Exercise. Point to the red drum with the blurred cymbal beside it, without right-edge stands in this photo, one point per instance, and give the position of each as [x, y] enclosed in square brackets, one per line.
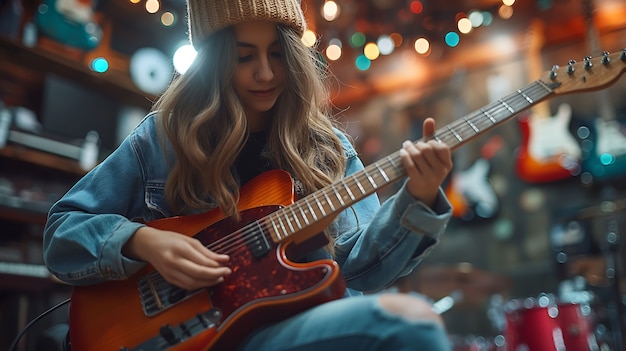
[547, 322]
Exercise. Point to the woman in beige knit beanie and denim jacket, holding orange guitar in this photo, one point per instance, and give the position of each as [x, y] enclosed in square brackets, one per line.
[237, 215]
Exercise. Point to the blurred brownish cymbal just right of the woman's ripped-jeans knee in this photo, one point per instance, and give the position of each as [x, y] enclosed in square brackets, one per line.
[474, 284]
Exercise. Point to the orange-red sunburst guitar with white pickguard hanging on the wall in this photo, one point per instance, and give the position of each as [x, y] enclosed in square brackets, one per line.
[549, 152]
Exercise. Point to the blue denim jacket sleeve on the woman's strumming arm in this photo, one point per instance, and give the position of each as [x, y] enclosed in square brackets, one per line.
[88, 226]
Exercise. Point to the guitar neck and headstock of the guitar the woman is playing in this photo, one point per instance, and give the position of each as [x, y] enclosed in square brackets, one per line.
[311, 214]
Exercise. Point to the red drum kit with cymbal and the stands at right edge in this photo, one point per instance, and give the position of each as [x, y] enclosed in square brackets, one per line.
[585, 314]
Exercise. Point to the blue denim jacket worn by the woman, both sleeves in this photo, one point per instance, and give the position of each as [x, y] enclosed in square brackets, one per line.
[89, 225]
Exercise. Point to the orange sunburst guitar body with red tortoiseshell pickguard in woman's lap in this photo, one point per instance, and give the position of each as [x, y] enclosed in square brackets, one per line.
[263, 288]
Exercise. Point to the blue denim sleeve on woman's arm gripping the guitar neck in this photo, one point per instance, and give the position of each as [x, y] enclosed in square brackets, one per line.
[378, 243]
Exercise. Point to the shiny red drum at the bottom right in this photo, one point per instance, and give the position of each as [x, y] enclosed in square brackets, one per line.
[543, 324]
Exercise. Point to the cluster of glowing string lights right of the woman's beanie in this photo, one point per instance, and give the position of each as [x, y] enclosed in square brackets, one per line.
[411, 26]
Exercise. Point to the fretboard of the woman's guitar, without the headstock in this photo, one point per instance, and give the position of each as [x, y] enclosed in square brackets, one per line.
[324, 204]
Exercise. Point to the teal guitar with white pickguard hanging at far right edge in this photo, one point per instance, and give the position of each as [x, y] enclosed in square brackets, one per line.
[604, 142]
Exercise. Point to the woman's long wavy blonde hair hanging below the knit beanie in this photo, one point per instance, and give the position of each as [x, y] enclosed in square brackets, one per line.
[202, 118]
